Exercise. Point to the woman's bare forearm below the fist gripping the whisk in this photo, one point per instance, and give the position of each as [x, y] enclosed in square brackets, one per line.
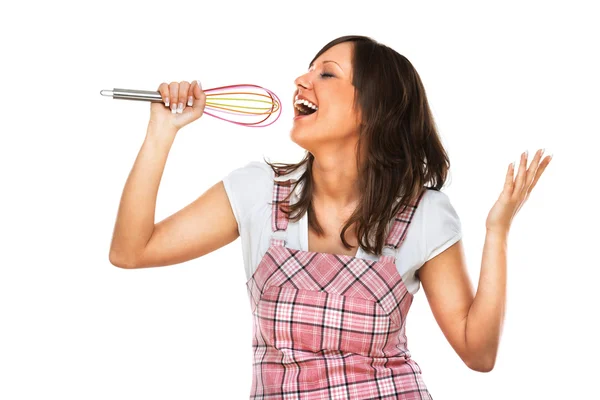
[135, 217]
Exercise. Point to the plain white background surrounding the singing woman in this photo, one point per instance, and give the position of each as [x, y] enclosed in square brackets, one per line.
[501, 78]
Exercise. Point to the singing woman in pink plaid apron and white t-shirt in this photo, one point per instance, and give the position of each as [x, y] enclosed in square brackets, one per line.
[332, 265]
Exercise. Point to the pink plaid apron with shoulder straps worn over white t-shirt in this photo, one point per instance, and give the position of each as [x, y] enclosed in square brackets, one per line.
[330, 326]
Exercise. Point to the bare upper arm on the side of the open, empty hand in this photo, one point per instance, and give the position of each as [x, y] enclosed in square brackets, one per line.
[450, 294]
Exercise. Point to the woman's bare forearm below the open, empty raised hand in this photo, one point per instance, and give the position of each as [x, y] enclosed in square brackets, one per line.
[486, 315]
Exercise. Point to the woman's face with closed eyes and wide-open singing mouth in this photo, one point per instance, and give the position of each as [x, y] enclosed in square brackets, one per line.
[328, 85]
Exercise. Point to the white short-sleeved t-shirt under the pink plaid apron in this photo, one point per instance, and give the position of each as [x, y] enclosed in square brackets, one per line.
[435, 225]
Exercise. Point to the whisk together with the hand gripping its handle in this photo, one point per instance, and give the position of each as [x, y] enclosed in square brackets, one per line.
[246, 105]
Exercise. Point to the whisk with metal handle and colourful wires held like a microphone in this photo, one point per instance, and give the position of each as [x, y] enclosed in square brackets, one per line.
[234, 103]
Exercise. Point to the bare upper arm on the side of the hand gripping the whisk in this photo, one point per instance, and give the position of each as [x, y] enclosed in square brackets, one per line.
[203, 226]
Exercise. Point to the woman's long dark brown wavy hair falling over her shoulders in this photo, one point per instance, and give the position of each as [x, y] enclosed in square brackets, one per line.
[403, 150]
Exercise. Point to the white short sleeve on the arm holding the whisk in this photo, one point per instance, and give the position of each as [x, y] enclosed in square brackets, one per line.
[248, 187]
